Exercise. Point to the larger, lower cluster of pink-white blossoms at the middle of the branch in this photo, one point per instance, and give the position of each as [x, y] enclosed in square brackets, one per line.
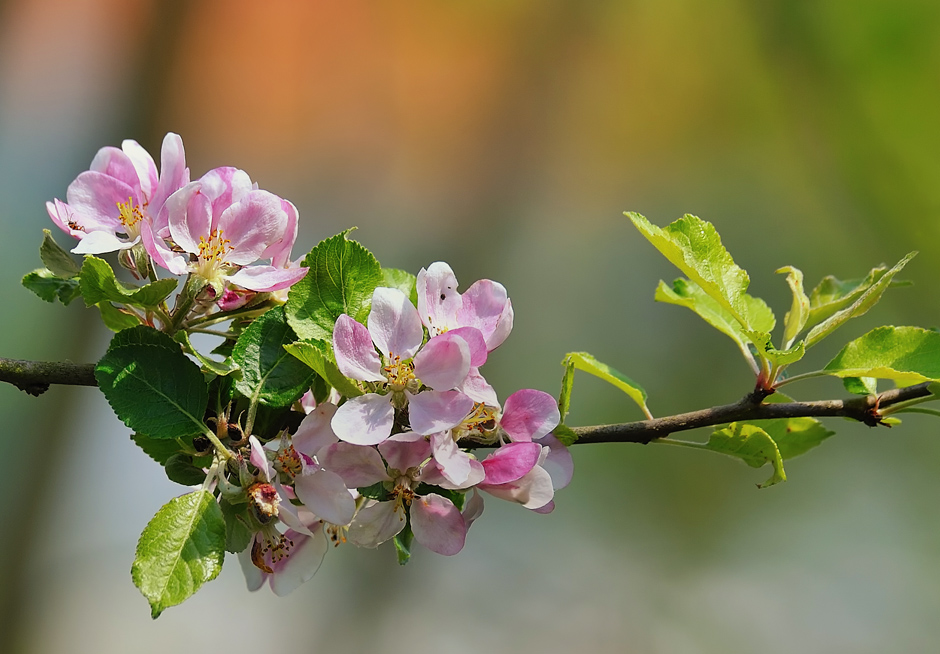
[397, 455]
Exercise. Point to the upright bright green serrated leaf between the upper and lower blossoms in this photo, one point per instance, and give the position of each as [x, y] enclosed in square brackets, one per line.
[343, 275]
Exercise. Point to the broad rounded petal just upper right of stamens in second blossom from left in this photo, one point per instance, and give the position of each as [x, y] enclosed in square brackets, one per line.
[251, 225]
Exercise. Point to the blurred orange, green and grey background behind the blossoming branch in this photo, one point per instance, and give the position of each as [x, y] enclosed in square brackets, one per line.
[507, 138]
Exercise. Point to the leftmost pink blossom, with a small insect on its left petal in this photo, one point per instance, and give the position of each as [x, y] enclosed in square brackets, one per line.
[120, 196]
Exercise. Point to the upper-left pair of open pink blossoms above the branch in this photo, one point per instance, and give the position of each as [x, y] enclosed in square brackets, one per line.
[212, 228]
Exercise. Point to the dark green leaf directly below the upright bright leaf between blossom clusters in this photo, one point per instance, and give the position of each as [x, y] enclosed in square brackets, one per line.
[269, 374]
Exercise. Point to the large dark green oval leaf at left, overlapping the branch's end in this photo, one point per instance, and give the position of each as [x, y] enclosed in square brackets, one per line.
[151, 385]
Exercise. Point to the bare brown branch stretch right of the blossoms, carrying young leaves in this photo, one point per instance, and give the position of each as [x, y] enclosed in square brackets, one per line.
[864, 409]
